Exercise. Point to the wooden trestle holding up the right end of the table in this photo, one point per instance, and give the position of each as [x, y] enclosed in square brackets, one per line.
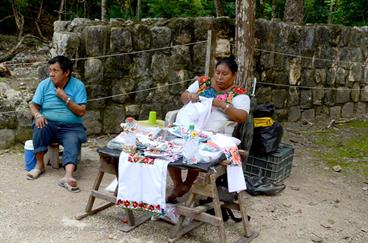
[208, 188]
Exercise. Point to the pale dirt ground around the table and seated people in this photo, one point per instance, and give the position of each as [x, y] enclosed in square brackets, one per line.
[318, 205]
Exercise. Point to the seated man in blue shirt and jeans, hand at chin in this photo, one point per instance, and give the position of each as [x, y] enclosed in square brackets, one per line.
[57, 107]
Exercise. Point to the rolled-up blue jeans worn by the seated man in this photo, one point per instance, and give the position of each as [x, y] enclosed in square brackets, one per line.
[71, 136]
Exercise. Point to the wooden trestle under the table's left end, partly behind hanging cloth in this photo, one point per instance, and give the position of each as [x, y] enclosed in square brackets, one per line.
[109, 164]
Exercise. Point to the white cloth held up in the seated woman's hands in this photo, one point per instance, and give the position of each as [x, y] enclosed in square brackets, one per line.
[195, 113]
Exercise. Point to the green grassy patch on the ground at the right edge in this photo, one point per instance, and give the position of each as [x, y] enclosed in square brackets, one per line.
[346, 146]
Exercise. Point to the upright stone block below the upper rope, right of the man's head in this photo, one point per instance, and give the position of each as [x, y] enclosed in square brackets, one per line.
[93, 71]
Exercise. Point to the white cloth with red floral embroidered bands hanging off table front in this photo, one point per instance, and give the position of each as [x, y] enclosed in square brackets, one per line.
[142, 183]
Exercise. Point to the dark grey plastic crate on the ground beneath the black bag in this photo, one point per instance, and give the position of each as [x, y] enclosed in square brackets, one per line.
[276, 166]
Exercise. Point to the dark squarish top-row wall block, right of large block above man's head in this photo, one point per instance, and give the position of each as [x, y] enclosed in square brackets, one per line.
[120, 40]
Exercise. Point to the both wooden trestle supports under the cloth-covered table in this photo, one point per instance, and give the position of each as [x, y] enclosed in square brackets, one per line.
[109, 161]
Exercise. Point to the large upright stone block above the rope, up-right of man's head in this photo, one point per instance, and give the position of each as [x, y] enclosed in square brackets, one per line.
[96, 40]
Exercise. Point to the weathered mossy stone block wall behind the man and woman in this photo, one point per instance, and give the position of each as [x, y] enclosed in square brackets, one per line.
[308, 72]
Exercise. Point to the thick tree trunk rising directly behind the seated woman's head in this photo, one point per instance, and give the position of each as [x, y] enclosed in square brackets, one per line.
[244, 40]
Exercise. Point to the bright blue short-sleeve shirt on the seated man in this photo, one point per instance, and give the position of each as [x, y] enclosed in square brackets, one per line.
[54, 108]
